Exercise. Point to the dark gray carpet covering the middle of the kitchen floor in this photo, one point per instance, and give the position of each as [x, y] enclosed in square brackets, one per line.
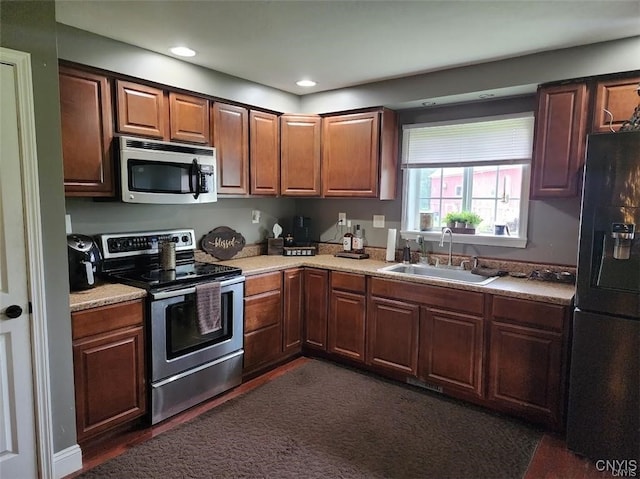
[326, 421]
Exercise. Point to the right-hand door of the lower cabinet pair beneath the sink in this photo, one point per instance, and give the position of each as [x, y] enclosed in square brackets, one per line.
[450, 350]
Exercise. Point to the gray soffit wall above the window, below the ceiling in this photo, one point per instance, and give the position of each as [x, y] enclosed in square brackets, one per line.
[515, 75]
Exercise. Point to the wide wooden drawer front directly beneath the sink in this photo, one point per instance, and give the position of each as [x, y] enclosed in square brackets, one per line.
[447, 298]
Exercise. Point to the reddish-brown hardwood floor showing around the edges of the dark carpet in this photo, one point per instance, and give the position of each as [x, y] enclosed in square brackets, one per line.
[552, 460]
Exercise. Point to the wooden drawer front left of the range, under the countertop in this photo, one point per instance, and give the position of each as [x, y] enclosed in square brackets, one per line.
[106, 318]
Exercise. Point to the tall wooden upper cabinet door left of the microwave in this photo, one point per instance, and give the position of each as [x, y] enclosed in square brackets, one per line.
[85, 111]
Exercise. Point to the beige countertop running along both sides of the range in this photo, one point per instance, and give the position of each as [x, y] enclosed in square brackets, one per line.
[556, 293]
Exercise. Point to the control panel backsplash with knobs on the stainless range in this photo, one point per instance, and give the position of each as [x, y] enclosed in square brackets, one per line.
[120, 245]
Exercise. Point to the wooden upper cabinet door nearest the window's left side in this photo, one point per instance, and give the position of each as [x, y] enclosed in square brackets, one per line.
[350, 155]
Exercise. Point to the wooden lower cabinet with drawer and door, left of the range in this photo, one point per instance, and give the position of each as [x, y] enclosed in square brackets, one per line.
[109, 369]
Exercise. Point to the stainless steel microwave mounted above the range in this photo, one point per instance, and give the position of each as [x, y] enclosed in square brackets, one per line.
[161, 172]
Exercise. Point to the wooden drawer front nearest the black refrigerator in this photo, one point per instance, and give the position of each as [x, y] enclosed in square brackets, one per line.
[529, 313]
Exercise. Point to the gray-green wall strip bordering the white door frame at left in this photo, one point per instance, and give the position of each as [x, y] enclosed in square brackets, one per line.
[31, 27]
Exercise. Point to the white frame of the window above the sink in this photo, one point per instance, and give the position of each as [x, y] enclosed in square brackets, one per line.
[519, 241]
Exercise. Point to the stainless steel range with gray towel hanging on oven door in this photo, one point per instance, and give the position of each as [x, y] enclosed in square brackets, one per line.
[194, 326]
